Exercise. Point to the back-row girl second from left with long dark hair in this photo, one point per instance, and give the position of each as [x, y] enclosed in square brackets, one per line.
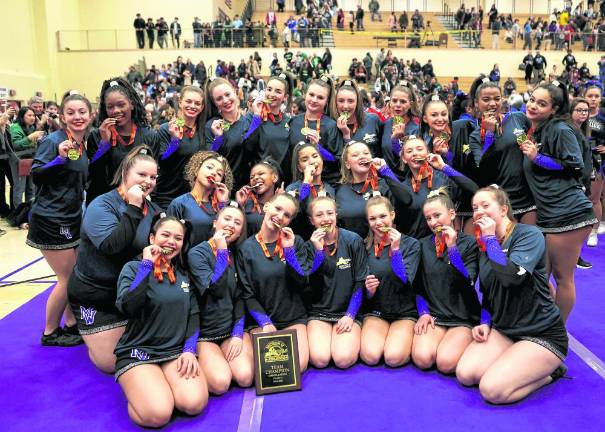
[122, 124]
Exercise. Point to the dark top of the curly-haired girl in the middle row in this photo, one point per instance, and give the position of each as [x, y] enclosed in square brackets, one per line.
[201, 219]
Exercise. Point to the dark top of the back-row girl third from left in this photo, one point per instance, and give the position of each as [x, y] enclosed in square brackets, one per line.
[171, 182]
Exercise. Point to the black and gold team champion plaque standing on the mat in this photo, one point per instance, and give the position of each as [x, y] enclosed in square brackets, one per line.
[276, 363]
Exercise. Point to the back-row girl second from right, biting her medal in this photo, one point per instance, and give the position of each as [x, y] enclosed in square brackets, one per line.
[496, 152]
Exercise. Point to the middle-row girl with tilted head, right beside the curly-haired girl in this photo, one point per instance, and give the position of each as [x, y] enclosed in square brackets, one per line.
[252, 197]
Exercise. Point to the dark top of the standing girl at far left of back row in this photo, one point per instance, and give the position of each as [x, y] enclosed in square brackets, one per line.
[60, 182]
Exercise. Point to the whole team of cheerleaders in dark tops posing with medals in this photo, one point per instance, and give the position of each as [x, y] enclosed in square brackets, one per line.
[372, 250]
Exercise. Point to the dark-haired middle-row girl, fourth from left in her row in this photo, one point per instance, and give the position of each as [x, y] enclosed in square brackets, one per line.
[307, 164]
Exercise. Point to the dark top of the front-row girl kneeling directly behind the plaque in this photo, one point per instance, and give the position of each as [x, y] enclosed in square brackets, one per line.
[270, 286]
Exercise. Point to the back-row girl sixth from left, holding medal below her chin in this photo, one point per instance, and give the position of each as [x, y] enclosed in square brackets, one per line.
[315, 125]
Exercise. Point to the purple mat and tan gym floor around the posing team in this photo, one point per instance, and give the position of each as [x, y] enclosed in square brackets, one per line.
[57, 389]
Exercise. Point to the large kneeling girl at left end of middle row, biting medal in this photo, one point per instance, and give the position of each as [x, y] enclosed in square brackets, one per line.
[115, 229]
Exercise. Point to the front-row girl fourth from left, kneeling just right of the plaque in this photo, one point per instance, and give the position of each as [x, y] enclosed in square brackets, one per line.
[336, 289]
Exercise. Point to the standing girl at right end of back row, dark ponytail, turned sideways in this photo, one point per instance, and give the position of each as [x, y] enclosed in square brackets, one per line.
[554, 175]
